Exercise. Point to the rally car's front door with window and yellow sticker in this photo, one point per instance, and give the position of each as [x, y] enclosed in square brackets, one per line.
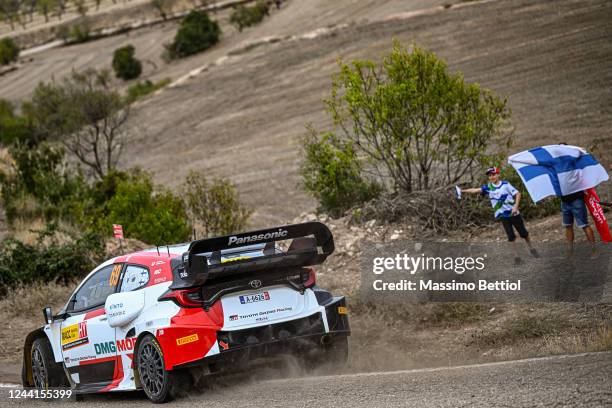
[87, 340]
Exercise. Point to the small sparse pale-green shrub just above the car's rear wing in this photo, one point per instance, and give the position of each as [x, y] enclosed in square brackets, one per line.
[214, 205]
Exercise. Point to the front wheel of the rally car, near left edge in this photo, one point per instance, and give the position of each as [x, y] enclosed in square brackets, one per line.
[46, 373]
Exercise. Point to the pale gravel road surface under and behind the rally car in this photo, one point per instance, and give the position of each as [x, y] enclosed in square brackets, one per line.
[581, 380]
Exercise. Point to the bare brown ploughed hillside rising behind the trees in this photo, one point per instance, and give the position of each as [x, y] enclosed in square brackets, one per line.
[243, 117]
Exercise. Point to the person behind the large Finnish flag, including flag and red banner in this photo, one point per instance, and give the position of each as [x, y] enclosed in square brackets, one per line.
[571, 173]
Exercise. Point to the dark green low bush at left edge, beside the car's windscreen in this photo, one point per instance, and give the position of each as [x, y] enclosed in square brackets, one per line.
[48, 260]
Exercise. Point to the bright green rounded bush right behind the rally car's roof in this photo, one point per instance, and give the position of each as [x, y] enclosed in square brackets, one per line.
[154, 217]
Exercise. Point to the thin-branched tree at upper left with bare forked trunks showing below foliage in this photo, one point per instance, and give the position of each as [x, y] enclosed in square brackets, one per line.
[86, 113]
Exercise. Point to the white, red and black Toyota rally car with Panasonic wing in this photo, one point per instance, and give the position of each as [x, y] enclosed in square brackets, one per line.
[147, 320]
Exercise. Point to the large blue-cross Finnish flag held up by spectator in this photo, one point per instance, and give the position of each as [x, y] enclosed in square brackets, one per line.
[557, 170]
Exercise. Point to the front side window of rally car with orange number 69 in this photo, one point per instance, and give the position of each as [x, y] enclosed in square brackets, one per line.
[97, 288]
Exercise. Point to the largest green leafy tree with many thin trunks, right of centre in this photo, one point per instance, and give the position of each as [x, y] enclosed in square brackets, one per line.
[409, 118]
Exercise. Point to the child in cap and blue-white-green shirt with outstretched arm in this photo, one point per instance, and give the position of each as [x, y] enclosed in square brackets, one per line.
[505, 200]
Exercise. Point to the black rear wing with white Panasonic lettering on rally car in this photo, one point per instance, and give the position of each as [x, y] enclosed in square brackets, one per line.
[204, 256]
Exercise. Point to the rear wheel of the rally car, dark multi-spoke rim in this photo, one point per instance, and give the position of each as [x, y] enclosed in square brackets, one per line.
[159, 384]
